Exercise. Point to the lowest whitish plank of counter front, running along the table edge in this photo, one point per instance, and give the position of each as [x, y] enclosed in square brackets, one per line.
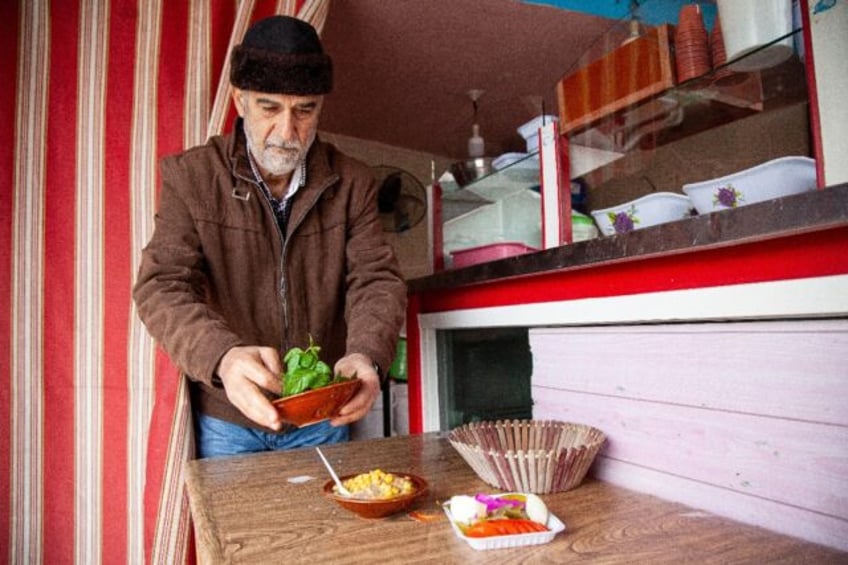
[782, 518]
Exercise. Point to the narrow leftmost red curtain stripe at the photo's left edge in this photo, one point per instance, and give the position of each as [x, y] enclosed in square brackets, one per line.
[8, 69]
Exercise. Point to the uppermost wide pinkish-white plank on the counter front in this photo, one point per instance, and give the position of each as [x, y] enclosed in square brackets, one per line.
[793, 370]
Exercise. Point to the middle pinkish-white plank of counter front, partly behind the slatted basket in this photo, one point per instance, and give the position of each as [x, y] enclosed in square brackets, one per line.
[787, 461]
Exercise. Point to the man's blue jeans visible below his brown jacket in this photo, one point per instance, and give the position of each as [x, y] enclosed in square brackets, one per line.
[216, 437]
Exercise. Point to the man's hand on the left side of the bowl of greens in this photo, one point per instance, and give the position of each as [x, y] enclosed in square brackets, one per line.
[243, 371]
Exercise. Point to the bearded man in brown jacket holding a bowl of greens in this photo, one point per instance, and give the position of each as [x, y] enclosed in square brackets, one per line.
[264, 238]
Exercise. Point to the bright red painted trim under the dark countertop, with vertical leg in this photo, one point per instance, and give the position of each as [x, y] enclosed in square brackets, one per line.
[814, 254]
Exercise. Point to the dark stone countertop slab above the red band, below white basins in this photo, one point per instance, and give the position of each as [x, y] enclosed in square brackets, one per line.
[783, 217]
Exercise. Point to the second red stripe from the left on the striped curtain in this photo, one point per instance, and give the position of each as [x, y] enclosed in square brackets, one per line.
[59, 235]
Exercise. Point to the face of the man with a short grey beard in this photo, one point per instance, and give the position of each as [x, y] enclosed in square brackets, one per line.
[280, 128]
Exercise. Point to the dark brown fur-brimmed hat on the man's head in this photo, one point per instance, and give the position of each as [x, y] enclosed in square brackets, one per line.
[281, 55]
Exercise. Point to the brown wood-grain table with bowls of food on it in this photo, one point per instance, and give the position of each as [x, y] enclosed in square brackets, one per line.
[254, 509]
